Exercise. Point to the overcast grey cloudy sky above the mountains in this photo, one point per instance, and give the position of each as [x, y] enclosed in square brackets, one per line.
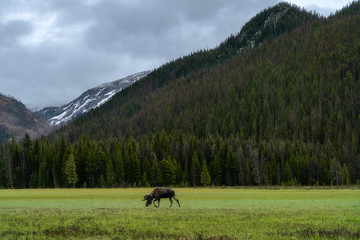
[53, 50]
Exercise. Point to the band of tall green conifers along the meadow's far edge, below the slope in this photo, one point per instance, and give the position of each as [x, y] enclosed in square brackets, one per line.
[172, 159]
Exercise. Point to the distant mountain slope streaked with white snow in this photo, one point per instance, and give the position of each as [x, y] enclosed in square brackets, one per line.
[90, 99]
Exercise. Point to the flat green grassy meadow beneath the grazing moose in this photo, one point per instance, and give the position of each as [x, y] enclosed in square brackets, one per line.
[204, 214]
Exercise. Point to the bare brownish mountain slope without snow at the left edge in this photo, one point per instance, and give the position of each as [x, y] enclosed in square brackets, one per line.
[16, 120]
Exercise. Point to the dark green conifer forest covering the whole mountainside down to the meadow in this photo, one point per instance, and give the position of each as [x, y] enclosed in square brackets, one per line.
[283, 112]
